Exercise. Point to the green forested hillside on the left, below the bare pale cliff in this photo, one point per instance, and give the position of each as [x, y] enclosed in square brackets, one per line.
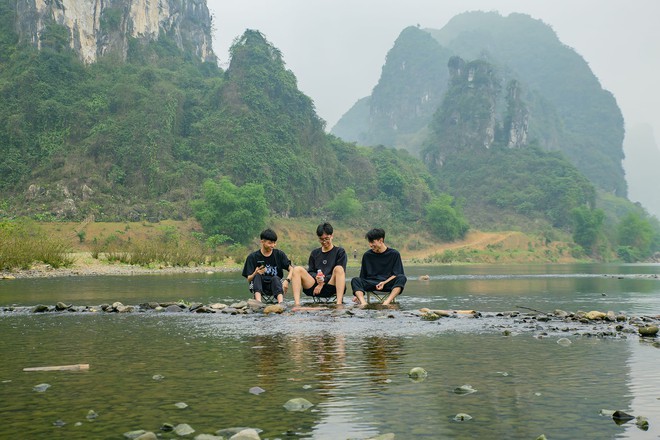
[137, 139]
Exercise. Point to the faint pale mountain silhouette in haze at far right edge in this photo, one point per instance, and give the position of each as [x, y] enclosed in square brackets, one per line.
[642, 165]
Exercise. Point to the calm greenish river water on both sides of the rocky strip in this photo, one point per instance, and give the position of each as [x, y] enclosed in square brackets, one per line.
[352, 368]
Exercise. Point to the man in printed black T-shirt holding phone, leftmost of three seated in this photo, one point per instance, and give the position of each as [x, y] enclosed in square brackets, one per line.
[264, 268]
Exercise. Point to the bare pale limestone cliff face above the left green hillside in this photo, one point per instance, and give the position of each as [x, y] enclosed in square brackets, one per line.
[98, 27]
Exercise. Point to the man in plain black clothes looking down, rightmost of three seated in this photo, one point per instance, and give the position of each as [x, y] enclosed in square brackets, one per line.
[381, 270]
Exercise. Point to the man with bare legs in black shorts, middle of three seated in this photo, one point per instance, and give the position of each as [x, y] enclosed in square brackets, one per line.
[325, 275]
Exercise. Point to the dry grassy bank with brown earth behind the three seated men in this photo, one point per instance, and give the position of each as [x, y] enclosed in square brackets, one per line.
[180, 243]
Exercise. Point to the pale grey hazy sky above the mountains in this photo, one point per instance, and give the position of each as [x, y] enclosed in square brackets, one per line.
[336, 48]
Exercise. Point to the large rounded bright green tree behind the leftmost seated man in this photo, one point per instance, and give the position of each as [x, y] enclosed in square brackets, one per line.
[226, 209]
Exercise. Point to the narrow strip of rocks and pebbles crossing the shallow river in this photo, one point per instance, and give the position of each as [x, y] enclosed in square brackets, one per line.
[508, 323]
